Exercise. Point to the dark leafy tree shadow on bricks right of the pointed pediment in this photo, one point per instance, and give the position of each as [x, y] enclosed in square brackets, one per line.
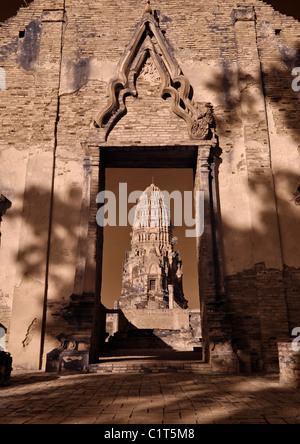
[278, 83]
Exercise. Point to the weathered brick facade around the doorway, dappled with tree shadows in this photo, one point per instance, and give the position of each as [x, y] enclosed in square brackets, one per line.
[238, 56]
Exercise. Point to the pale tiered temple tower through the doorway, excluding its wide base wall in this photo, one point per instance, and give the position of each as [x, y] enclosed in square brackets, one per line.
[152, 271]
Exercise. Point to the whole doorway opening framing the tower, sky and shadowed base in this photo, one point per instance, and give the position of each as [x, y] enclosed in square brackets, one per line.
[153, 305]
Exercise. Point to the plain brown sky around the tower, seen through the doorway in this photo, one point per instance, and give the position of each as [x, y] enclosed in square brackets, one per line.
[117, 239]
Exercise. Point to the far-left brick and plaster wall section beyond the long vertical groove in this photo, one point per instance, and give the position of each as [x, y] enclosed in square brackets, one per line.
[31, 58]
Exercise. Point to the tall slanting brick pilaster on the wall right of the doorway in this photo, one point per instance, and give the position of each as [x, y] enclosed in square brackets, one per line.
[266, 239]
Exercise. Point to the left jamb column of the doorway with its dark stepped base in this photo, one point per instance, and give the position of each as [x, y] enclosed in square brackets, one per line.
[83, 320]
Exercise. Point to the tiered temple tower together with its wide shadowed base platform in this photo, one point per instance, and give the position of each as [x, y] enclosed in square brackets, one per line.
[152, 312]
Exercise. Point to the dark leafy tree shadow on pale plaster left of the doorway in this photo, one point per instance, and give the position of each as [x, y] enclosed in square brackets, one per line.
[33, 254]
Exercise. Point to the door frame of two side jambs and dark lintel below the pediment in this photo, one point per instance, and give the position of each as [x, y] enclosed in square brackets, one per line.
[200, 158]
